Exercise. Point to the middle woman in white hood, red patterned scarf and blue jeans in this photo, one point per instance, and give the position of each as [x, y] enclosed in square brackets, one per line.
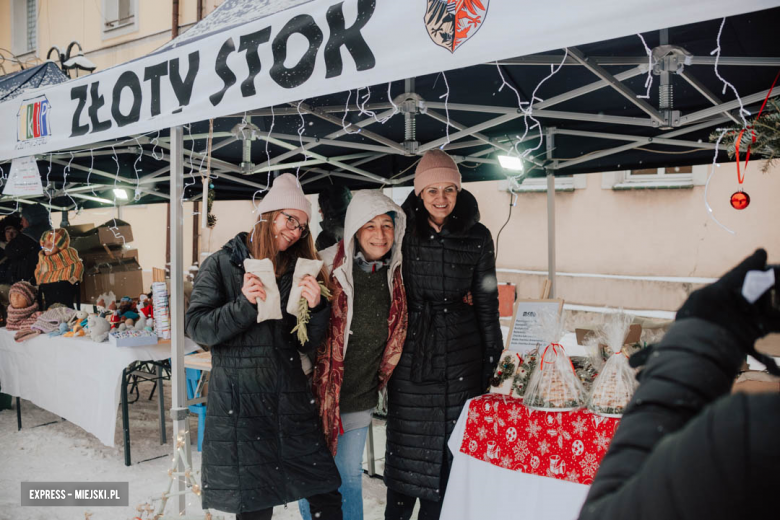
[366, 335]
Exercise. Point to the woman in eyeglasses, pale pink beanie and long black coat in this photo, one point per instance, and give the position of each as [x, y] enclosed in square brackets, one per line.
[262, 444]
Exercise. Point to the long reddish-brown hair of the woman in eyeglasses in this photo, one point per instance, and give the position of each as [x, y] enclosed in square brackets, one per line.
[261, 243]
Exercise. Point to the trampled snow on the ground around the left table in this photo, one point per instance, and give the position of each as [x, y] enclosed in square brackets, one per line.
[62, 451]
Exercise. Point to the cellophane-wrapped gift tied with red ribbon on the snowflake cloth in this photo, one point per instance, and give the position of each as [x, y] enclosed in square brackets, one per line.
[554, 385]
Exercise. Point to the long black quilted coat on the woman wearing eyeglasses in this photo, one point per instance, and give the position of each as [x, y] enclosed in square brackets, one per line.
[262, 445]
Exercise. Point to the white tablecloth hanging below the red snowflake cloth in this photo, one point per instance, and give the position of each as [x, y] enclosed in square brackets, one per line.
[479, 490]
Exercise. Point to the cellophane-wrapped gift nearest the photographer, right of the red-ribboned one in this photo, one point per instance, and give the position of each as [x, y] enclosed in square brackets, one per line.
[613, 388]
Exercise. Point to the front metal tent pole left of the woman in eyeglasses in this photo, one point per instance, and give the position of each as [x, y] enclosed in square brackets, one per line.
[179, 411]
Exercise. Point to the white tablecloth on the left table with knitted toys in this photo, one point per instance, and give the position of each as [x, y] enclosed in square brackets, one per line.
[77, 379]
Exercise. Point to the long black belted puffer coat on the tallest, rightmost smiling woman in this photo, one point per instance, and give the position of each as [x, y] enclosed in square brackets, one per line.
[451, 347]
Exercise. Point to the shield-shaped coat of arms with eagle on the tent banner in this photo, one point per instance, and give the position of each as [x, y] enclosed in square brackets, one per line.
[451, 23]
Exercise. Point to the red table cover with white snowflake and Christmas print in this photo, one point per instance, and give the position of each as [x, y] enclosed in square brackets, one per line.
[561, 445]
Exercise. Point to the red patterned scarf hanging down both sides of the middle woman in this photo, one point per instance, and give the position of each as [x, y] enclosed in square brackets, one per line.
[329, 365]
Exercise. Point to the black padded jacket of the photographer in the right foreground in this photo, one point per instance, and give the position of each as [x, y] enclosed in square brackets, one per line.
[685, 449]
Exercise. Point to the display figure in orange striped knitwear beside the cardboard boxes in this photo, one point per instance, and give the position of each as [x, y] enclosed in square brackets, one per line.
[59, 269]
